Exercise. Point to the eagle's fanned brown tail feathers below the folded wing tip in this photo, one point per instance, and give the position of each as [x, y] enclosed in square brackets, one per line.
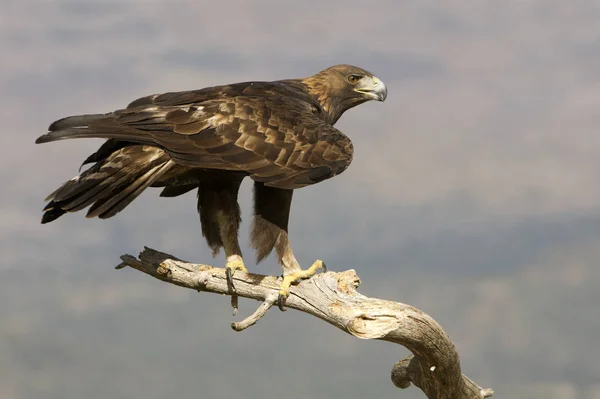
[110, 185]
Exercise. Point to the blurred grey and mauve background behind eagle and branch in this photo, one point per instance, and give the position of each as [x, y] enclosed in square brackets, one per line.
[473, 195]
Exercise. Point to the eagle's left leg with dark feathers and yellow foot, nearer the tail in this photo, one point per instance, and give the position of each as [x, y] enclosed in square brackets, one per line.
[220, 218]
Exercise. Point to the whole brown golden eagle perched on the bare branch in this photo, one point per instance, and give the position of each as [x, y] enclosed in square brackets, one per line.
[278, 133]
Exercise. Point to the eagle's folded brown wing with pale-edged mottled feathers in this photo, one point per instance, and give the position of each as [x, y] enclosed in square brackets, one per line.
[277, 139]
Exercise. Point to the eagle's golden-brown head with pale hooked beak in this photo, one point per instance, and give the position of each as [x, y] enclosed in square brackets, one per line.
[341, 87]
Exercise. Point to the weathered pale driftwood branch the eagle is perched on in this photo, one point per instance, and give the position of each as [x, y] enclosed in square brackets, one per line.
[332, 296]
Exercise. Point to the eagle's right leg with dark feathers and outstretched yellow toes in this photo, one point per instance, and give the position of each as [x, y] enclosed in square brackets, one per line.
[270, 230]
